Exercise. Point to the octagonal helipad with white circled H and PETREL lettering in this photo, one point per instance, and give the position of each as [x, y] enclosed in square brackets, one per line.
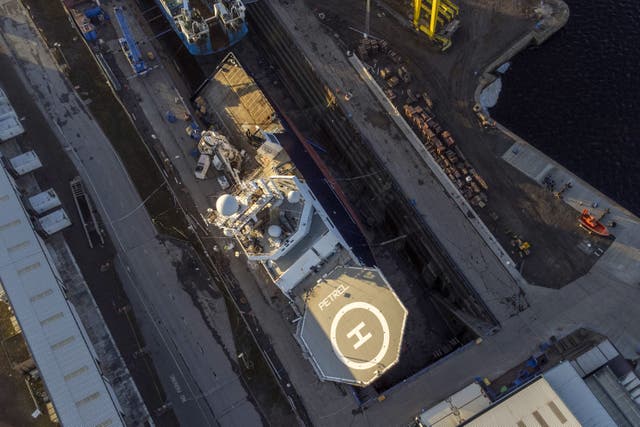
[353, 325]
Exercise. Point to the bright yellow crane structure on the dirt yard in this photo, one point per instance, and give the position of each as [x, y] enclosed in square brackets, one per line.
[437, 13]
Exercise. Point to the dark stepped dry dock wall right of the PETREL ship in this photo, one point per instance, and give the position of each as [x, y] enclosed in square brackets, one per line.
[383, 207]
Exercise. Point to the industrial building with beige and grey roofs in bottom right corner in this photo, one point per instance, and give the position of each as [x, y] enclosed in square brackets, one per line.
[597, 388]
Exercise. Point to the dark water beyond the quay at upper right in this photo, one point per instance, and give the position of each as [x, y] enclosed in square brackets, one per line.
[576, 97]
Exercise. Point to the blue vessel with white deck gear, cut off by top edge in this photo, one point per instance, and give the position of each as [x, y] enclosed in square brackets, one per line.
[206, 26]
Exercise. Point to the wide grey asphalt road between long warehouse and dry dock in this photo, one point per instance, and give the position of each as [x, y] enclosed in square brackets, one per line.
[194, 368]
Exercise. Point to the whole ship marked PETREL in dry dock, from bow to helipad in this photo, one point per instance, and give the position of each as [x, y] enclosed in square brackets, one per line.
[295, 235]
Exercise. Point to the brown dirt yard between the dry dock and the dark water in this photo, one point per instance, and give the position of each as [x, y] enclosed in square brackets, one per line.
[516, 203]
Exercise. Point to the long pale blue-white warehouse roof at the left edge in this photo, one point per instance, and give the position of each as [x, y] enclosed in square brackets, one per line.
[55, 337]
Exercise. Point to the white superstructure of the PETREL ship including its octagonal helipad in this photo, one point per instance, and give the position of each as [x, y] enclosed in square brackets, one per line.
[351, 322]
